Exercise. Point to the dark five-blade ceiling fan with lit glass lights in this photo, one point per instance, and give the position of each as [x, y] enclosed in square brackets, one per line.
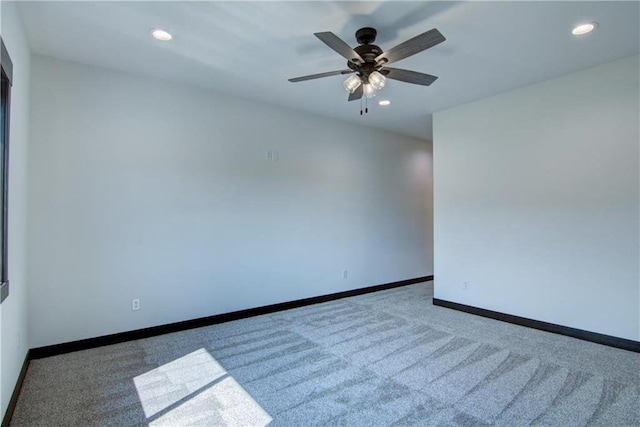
[368, 63]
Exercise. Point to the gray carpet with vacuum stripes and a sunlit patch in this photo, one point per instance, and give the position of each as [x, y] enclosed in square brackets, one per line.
[386, 358]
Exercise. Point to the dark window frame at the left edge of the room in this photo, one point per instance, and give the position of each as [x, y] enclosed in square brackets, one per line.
[6, 81]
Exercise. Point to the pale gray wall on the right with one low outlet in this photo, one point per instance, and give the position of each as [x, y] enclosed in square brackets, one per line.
[537, 201]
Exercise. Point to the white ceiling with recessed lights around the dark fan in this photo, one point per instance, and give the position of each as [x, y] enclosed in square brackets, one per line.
[250, 49]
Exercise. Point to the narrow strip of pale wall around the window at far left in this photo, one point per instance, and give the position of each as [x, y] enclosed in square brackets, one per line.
[13, 311]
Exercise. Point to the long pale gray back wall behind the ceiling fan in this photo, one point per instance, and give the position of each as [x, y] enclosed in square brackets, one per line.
[142, 188]
